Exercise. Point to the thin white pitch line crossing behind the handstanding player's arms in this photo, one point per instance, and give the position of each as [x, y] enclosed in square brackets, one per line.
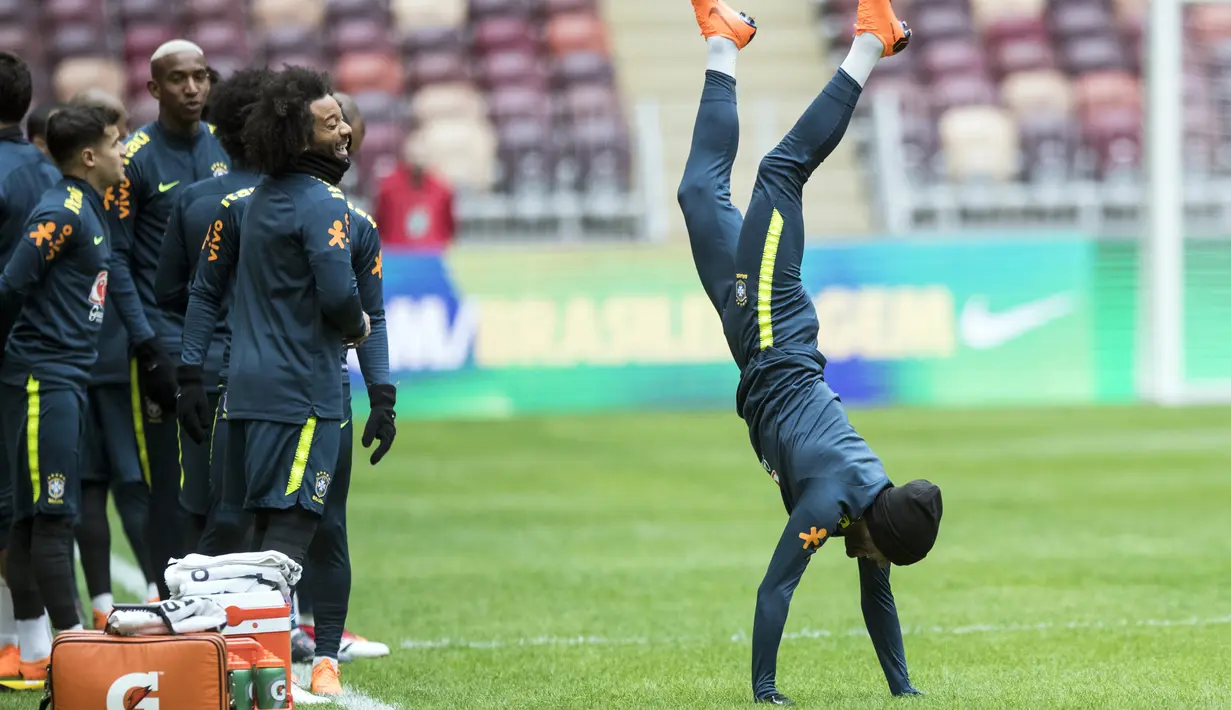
[742, 637]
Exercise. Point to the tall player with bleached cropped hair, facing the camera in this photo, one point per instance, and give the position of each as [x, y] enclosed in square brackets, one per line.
[163, 159]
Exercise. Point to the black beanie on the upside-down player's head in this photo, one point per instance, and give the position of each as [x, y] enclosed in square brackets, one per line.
[904, 521]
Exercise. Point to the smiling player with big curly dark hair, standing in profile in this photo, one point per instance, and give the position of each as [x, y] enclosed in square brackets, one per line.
[296, 308]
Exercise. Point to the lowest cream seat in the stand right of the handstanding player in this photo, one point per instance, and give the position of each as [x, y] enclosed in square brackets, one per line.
[980, 145]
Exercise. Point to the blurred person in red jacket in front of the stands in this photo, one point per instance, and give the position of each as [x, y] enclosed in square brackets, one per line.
[414, 205]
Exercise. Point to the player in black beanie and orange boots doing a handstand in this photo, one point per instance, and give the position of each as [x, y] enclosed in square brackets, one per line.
[832, 482]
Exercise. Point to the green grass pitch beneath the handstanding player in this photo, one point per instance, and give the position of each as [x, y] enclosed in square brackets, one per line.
[612, 563]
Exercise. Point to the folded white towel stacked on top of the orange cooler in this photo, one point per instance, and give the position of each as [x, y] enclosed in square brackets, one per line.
[232, 574]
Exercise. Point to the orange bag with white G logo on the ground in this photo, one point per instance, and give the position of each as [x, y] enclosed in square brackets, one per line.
[92, 670]
